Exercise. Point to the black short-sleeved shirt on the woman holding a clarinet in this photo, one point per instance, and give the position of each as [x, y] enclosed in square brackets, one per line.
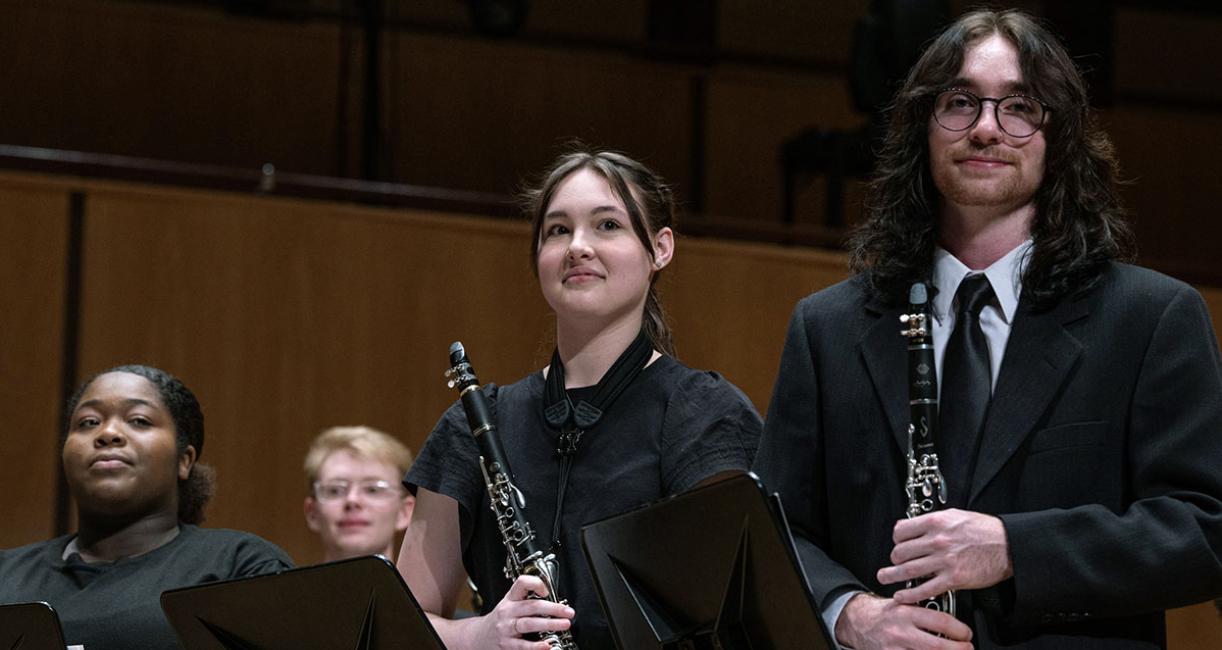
[670, 429]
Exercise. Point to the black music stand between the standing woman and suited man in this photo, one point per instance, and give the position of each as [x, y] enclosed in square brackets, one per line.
[713, 569]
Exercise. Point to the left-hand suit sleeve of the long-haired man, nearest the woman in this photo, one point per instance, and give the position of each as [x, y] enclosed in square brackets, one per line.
[791, 460]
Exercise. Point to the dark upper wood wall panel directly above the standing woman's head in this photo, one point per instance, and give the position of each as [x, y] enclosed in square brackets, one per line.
[472, 114]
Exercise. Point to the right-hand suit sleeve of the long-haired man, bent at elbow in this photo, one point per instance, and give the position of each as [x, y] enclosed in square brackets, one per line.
[1164, 550]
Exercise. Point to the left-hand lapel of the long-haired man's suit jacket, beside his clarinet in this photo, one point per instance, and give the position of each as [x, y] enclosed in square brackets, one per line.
[883, 348]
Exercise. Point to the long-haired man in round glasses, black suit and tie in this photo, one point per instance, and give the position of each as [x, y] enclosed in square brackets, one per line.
[1081, 398]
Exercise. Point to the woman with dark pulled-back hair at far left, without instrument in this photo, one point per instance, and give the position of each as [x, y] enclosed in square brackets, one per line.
[130, 456]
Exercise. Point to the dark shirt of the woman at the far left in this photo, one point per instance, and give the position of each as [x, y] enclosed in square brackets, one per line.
[117, 605]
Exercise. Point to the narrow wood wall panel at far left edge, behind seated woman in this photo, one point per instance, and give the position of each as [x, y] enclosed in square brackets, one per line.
[34, 244]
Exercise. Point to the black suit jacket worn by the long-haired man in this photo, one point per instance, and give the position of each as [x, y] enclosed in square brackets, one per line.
[1102, 454]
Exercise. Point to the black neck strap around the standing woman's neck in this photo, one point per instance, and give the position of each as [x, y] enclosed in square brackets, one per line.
[559, 411]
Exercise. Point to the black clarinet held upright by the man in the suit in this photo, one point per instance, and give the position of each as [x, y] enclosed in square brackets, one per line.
[926, 487]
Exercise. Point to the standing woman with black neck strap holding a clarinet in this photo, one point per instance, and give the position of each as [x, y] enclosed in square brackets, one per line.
[602, 234]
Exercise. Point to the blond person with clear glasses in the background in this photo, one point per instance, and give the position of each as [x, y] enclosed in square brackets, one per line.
[357, 503]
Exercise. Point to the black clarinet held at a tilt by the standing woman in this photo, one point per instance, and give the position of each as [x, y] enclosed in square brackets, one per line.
[522, 552]
